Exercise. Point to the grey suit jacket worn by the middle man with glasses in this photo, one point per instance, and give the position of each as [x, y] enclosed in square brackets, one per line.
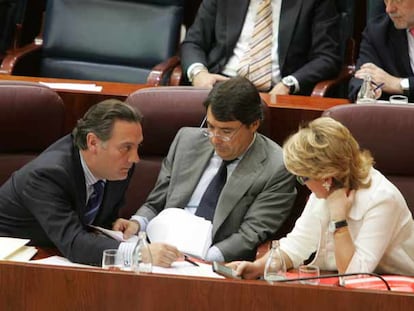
[254, 203]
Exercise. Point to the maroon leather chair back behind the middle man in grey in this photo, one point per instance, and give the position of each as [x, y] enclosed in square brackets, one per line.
[165, 111]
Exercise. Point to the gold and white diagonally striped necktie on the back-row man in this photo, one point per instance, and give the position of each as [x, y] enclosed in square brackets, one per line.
[256, 64]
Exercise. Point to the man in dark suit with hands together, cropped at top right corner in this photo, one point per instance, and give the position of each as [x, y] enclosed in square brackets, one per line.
[387, 52]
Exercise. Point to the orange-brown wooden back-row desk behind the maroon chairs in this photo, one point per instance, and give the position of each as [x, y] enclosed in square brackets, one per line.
[286, 112]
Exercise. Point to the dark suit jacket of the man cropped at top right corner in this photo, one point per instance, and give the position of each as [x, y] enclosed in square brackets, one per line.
[386, 47]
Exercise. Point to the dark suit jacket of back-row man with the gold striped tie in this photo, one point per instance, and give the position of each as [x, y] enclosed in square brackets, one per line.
[308, 34]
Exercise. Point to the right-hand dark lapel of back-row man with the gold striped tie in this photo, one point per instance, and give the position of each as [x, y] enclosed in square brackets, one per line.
[289, 13]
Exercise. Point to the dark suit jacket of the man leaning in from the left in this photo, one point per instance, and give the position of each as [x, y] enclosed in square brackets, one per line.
[44, 201]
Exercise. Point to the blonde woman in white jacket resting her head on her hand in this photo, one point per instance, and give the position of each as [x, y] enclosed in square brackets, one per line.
[355, 220]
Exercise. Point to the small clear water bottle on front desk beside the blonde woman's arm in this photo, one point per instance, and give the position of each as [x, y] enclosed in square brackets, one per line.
[275, 268]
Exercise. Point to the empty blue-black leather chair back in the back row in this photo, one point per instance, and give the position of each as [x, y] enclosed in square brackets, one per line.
[109, 40]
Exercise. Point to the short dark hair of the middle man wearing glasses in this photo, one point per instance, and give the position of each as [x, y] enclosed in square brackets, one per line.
[235, 99]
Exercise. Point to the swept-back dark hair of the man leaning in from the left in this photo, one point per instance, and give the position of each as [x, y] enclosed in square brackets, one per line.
[100, 119]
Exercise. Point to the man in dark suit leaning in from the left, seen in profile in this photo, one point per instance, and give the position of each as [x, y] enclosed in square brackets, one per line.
[79, 180]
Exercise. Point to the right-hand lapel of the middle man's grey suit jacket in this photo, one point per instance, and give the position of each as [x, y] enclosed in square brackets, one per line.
[246, 172]
